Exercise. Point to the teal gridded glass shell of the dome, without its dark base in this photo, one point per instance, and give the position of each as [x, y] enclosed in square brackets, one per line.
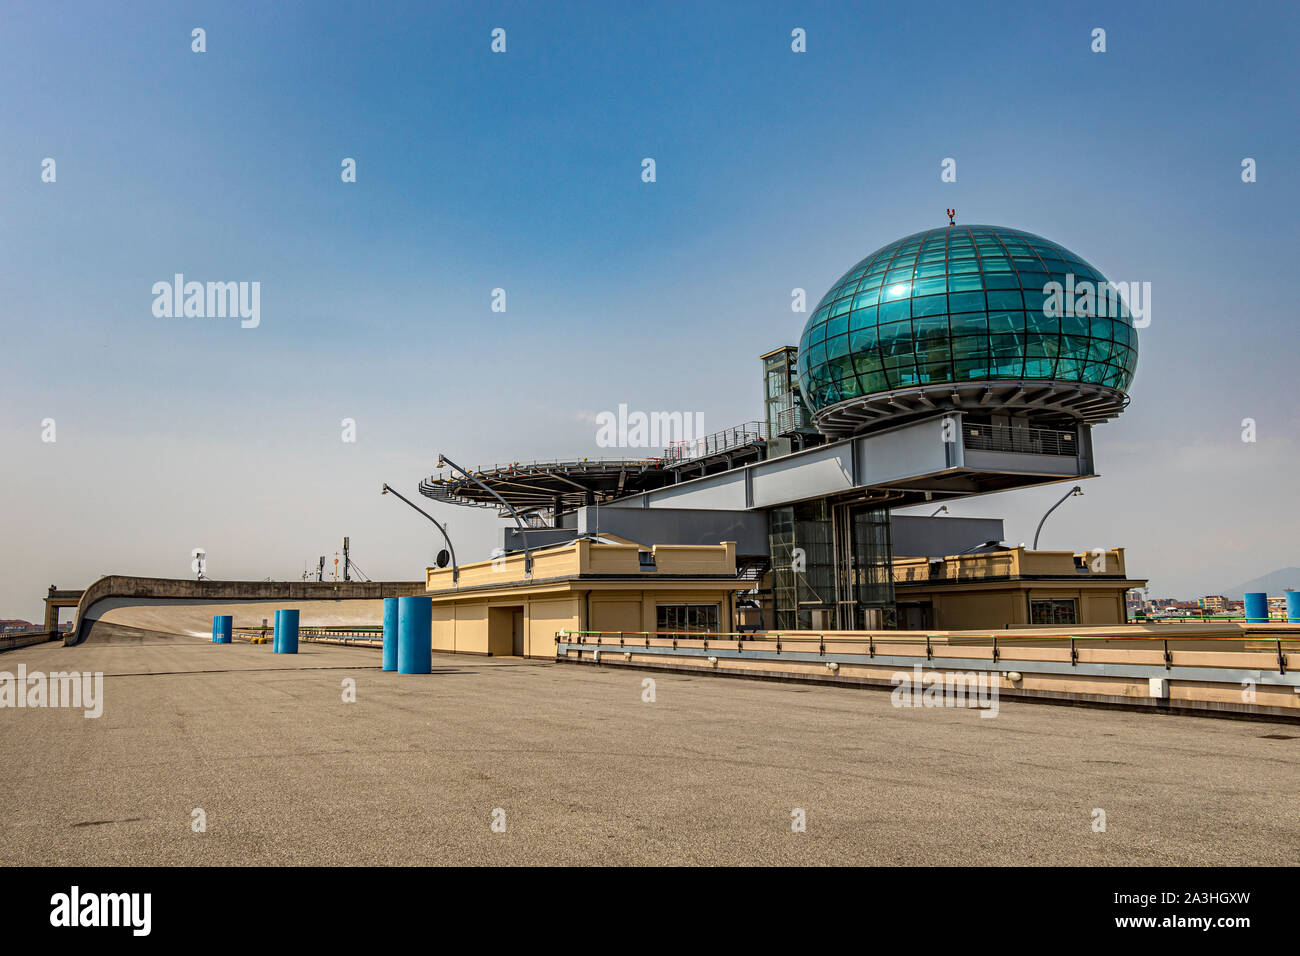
[976, 302]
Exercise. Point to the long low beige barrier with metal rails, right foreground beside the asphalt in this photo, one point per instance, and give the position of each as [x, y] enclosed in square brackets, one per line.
[1212, 669]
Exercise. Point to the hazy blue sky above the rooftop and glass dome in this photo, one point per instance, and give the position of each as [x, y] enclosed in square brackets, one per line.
[523, 171]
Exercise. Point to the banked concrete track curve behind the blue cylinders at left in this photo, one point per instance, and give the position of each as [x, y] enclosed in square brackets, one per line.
[185, 608]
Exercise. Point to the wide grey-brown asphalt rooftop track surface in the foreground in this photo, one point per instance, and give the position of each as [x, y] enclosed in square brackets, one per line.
[580, 769]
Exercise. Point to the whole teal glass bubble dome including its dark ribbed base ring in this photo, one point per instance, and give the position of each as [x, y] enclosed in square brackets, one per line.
[967, 308]
